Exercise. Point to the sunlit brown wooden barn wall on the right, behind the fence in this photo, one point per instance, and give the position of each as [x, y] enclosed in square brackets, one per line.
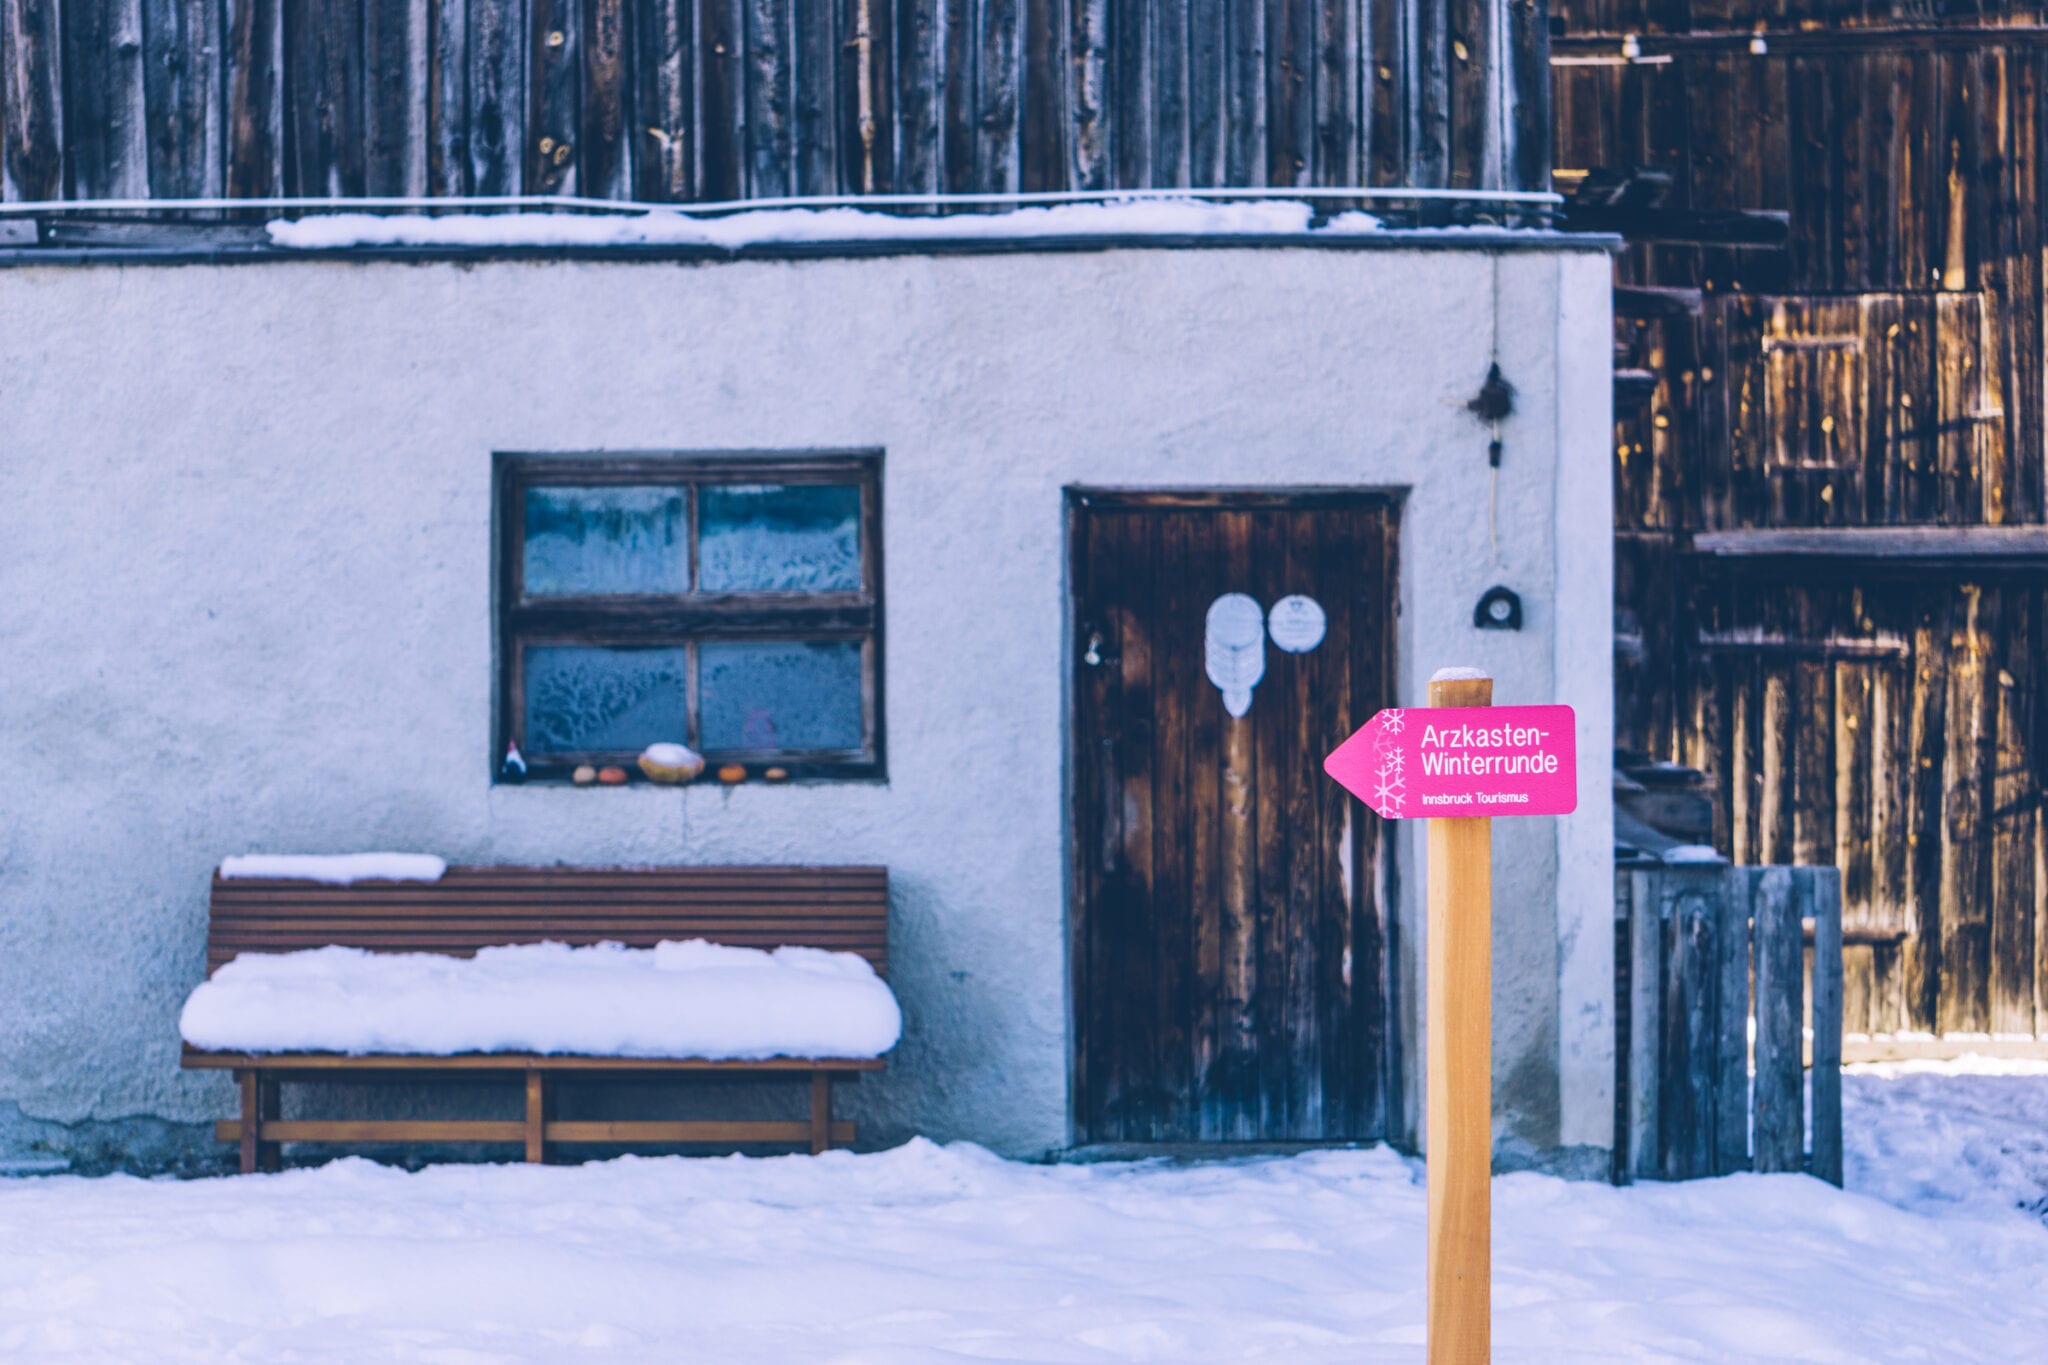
[1885, 369]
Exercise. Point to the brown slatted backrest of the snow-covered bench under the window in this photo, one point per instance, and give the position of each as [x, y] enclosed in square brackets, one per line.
[480, 908]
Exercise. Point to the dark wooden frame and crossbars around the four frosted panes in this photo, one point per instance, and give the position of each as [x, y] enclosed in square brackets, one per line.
[691, 617]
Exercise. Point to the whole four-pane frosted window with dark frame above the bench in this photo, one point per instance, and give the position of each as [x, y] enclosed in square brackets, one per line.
[732, 605]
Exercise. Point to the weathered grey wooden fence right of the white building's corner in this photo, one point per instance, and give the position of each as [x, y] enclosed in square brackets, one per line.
[1713, 1022]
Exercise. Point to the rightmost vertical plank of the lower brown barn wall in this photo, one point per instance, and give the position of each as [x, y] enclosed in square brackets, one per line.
[2014, 816]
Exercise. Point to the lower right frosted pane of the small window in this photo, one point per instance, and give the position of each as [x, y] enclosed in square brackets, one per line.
[781, 695]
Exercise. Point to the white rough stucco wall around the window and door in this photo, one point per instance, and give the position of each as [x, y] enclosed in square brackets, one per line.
[247, 541]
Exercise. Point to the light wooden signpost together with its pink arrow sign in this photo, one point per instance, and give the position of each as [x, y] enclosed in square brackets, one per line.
[1457, 764]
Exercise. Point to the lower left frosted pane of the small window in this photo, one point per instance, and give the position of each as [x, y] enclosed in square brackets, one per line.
[583, 699]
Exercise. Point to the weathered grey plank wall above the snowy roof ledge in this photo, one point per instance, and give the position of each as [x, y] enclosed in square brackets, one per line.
[732, 99]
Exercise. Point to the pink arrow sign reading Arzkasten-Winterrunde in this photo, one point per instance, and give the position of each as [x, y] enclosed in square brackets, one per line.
[1418, 762]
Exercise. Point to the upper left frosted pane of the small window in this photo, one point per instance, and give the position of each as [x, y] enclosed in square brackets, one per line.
[607, 541]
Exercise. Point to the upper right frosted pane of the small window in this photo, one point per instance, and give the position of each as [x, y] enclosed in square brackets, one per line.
[779, 537]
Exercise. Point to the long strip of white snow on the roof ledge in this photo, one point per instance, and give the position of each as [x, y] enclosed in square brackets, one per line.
[738, 230]
